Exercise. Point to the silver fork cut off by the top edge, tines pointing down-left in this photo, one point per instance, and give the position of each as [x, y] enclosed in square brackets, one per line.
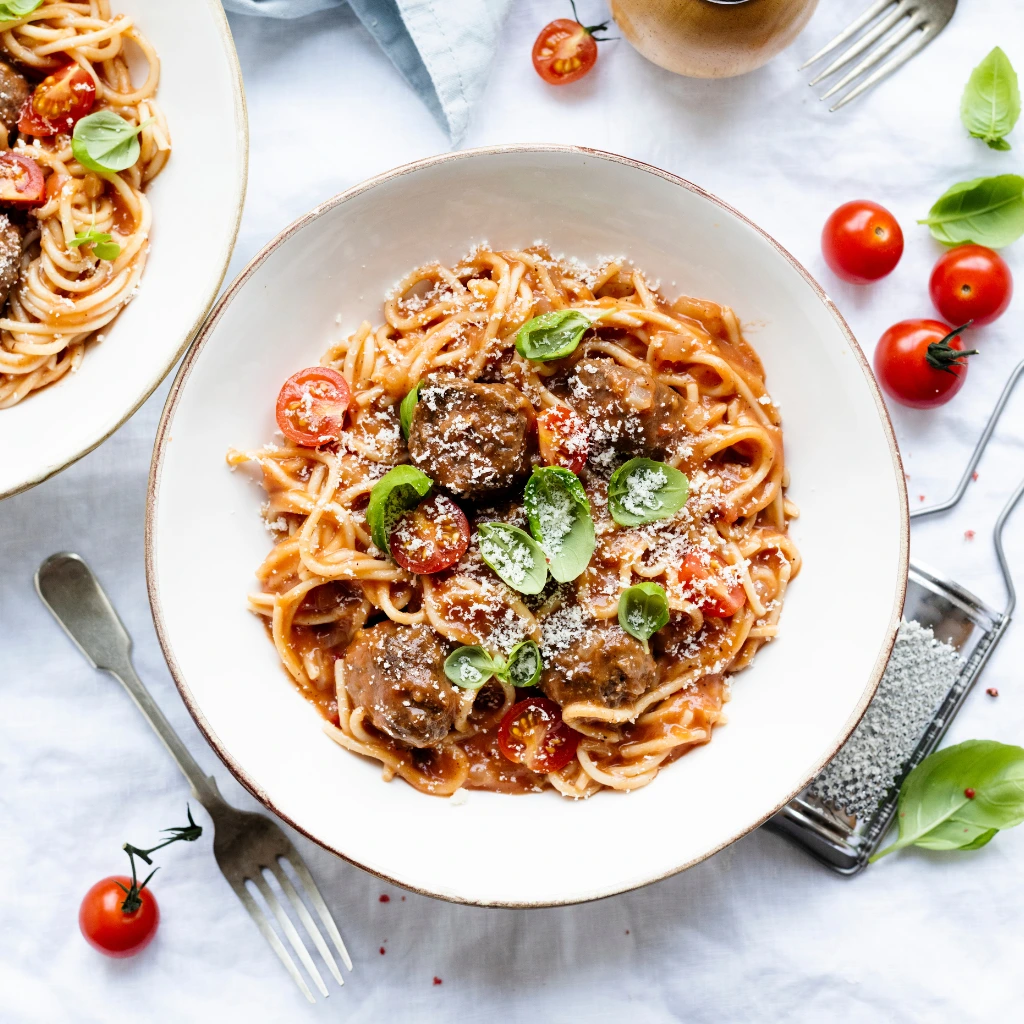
[905, 26]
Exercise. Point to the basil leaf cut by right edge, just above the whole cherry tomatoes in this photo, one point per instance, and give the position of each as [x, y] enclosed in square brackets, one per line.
[985, 211]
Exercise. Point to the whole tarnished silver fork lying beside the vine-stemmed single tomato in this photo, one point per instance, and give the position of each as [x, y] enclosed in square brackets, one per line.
[245, 845]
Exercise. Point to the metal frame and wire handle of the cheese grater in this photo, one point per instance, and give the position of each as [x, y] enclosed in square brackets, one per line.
[844, 841]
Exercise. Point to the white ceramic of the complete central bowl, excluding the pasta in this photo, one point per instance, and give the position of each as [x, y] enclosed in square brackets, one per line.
[790, 712]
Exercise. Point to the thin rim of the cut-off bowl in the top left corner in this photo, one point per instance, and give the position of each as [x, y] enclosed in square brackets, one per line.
[242, 123]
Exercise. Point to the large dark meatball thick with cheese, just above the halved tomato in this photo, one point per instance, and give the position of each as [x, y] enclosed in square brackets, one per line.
[472, 439]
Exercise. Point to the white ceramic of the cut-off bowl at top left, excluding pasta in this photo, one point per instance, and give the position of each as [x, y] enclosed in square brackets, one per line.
[197, 205]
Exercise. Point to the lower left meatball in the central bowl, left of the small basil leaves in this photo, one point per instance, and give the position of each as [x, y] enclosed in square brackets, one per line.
[397, 673]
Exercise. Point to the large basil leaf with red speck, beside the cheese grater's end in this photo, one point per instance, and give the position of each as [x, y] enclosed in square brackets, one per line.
[959, 798]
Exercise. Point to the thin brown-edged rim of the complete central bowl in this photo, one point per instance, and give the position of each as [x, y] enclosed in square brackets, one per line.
[207, 331]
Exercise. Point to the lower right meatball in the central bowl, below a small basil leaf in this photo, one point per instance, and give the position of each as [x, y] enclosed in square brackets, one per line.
[607, 666]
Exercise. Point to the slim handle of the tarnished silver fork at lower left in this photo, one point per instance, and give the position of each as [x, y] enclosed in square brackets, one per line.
[73, 594]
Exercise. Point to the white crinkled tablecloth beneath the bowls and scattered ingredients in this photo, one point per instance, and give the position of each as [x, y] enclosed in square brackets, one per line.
[758, 933]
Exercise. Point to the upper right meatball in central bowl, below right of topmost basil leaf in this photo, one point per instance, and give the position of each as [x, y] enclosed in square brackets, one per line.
[628, 410]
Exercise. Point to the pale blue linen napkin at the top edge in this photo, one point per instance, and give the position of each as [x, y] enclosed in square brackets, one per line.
[444, 49]
